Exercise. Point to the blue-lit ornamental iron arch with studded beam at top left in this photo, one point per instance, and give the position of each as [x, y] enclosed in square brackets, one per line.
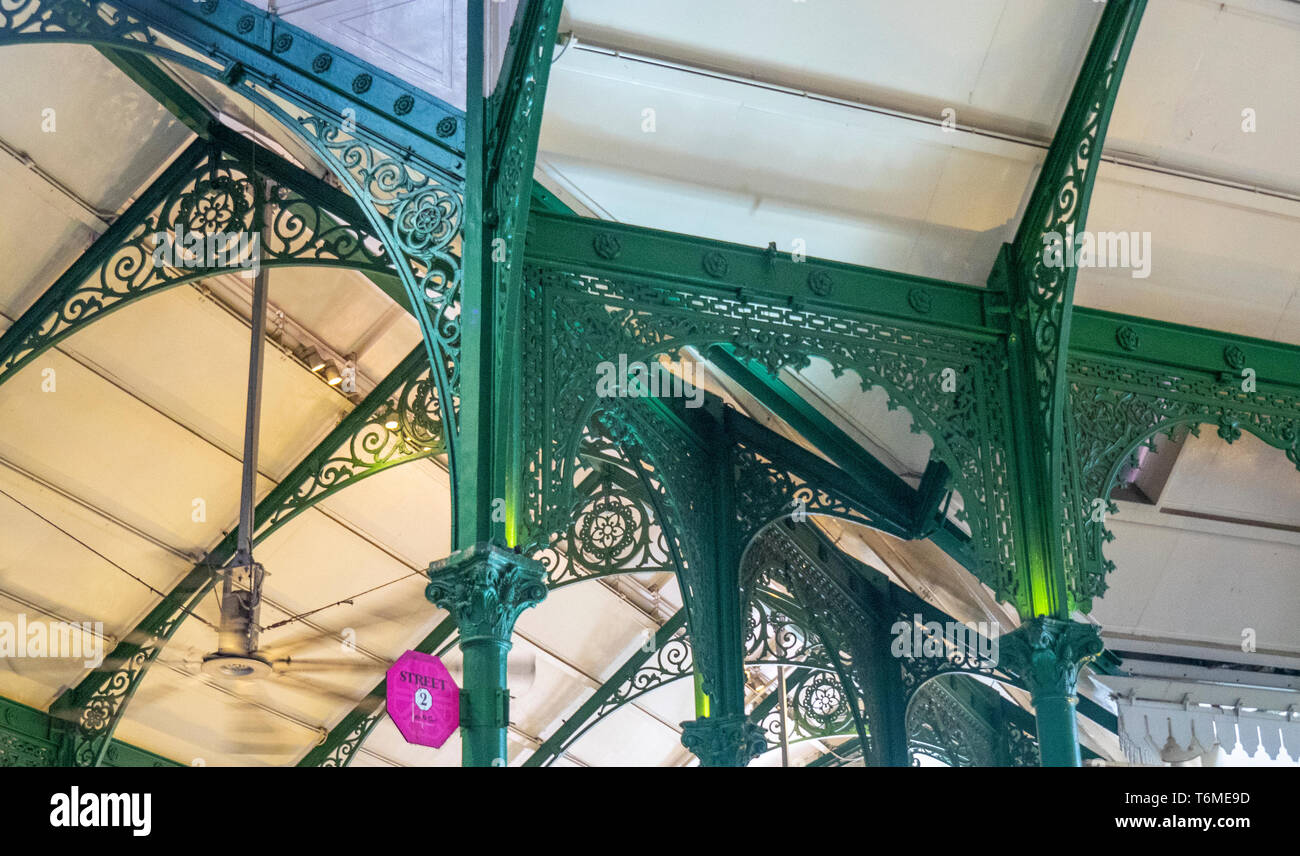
[413, 198]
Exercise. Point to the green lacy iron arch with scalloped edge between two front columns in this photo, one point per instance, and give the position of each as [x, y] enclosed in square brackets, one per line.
[577, 319]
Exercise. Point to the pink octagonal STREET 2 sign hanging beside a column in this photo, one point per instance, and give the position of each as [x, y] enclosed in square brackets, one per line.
[423, 701]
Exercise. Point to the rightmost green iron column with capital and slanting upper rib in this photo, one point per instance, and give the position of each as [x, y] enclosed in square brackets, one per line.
[1039, 295]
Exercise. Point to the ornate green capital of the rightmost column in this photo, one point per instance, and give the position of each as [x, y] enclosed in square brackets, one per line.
[1047, 654]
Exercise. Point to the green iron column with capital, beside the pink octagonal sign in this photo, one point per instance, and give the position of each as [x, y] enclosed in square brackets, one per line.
[484, 586]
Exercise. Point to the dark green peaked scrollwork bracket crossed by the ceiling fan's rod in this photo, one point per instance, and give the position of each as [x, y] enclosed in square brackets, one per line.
[210, 192]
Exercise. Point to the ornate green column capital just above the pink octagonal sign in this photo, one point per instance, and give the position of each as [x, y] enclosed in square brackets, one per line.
[486, 589]
